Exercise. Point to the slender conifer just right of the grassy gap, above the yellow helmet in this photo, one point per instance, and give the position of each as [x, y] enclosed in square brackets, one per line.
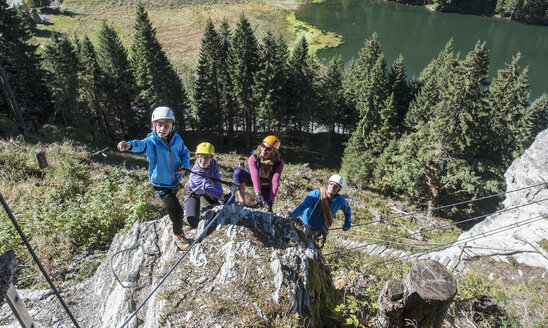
[208, 97]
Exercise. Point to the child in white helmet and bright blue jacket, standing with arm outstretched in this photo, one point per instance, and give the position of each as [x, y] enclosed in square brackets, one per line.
[166, 153]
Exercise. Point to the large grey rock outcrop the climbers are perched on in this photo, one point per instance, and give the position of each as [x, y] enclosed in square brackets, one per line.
[252, 268]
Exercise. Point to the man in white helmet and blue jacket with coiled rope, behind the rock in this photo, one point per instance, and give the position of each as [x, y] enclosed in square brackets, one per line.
[321, 205]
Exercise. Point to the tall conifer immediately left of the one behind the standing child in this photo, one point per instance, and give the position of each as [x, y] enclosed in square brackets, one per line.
[118, 83]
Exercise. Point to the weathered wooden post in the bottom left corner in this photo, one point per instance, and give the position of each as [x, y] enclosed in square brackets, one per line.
[8, 292]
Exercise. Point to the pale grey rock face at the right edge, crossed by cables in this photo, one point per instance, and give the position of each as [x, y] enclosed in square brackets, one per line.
[515, 233]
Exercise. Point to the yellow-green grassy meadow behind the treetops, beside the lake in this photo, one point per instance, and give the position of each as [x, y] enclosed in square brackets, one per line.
[180, 25]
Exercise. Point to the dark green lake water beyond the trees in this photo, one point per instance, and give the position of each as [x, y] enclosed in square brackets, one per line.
[420, 34]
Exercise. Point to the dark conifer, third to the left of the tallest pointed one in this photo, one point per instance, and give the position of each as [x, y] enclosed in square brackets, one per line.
[61, 63]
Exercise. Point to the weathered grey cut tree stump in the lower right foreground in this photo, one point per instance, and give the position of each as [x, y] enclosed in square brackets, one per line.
[421, 300]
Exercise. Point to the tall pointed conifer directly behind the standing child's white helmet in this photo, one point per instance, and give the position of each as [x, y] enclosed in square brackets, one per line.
[157, 82]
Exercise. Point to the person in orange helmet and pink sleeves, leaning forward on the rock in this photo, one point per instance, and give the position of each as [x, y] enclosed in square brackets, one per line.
[265, 168]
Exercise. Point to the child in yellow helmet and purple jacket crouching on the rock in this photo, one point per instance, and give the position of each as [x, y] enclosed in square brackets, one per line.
[198, 185]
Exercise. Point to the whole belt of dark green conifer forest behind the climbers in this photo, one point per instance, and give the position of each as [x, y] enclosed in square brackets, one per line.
[446, 136]
